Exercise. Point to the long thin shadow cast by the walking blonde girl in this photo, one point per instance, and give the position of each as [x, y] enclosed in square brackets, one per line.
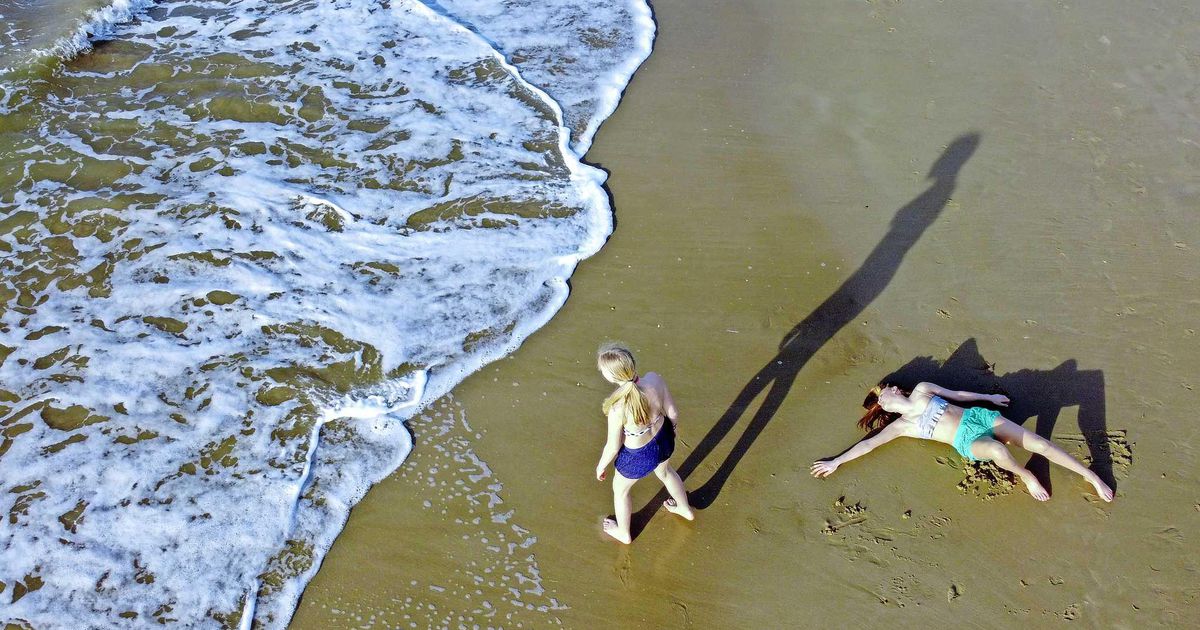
[811, 335]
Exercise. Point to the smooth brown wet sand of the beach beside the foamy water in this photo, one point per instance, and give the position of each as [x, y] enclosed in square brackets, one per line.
[781, 247]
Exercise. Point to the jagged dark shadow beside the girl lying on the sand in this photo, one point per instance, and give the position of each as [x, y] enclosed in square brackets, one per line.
[1034, 393]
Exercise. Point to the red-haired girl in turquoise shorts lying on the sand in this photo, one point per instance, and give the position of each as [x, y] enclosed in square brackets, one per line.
[977, 434]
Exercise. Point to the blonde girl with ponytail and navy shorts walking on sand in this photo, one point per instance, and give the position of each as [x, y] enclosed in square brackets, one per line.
[643, 421]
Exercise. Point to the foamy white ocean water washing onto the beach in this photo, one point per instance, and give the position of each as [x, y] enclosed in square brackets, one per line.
[242, 242]
